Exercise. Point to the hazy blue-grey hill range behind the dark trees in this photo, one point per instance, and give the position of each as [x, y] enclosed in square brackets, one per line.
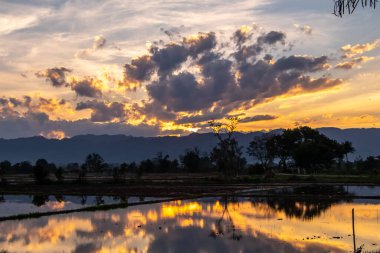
[120, 148]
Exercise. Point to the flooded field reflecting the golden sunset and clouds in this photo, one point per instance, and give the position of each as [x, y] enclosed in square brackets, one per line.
[213, 224]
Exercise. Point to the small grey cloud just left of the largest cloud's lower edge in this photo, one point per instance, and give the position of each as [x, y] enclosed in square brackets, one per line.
[102, 112]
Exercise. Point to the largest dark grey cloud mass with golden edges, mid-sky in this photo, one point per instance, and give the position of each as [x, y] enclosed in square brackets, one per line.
[196, 75]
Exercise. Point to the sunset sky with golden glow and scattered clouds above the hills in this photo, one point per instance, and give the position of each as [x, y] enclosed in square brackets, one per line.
[168, 67]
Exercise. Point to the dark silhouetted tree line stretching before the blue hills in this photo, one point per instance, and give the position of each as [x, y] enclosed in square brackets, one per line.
[300, 150]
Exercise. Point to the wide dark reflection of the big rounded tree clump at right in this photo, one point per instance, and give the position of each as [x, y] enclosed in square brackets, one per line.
[310, 202]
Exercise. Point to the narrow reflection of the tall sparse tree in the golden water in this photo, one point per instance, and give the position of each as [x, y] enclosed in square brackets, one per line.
[224, 226]
